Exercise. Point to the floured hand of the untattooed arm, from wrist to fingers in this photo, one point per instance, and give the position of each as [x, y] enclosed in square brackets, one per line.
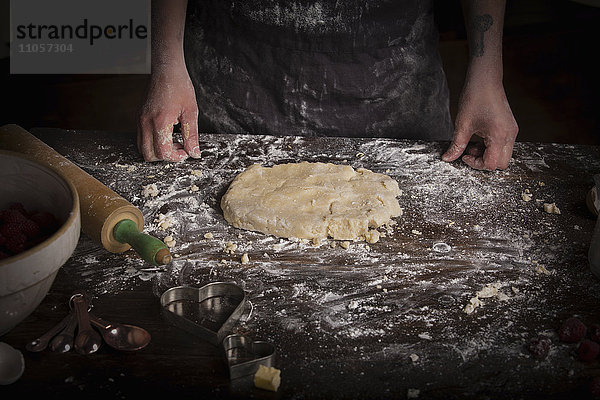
[170, 100]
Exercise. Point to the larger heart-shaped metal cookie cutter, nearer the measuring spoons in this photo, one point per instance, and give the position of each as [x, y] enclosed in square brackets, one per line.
[209, 312]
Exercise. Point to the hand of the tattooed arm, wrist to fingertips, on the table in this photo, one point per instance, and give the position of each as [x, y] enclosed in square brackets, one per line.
[484, 112]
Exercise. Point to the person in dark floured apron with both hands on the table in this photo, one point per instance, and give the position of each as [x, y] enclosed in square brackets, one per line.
[322, 67]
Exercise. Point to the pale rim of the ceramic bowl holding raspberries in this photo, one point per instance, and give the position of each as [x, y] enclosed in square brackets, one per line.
[73, 214]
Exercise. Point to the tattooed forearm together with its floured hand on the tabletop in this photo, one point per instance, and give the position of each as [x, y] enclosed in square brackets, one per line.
[483, 108]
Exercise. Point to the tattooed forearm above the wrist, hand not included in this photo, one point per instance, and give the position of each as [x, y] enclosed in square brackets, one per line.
[484, 20]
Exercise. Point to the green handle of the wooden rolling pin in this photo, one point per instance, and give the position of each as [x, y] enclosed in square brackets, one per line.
[148, 247]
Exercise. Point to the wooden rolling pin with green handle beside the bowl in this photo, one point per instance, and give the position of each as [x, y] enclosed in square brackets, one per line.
[106, 217]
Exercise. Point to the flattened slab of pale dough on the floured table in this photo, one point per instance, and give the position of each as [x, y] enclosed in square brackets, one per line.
[312, 201]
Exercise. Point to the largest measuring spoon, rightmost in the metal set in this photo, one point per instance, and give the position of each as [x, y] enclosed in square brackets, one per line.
[121, 336]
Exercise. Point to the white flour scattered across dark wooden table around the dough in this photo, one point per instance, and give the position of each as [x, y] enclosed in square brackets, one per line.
[408, 293]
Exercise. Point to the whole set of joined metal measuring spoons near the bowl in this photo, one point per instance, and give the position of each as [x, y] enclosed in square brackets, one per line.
[76, 331]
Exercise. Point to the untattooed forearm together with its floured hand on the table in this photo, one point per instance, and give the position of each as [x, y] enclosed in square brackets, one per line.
[170, 98]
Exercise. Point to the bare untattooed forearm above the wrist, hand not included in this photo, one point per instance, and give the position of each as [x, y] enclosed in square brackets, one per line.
[168, 22]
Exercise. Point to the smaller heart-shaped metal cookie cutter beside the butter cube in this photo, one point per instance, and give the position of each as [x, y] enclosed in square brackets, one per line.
[244, 355]
